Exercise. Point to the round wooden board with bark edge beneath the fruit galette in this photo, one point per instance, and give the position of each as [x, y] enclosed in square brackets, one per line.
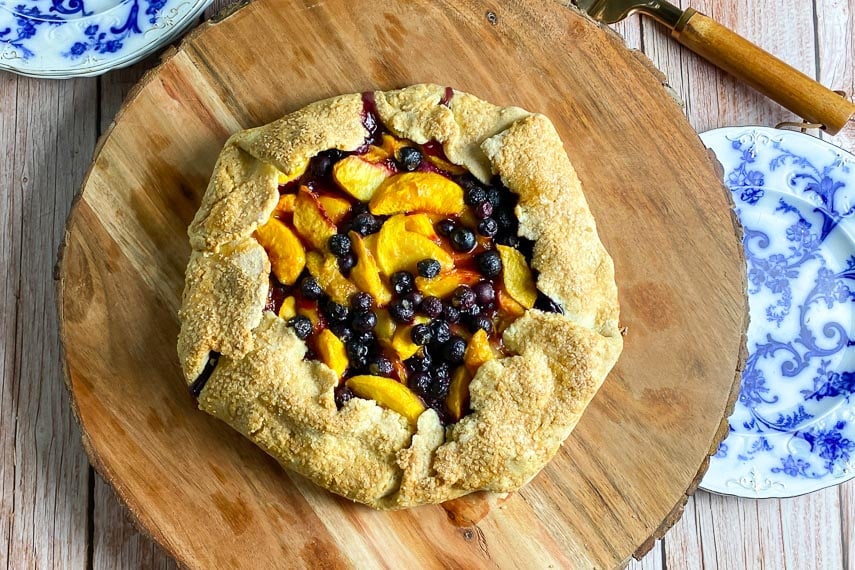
[214, 500]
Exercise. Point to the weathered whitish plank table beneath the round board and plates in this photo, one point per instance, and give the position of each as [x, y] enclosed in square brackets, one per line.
[56, 513]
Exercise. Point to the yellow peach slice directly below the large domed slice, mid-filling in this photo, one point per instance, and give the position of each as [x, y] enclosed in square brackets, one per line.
[398, 249]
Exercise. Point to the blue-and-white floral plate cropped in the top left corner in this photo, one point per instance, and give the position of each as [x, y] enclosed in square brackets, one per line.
[74, 38]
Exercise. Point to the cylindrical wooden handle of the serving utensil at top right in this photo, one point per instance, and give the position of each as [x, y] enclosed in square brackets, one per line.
[763, 71]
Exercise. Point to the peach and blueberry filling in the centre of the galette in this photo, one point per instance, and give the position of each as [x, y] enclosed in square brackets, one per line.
[399, 269]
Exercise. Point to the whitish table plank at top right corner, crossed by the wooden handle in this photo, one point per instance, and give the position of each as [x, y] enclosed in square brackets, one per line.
[836, 45]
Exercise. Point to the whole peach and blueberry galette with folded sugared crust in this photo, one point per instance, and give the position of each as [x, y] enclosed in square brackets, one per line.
[400, 295]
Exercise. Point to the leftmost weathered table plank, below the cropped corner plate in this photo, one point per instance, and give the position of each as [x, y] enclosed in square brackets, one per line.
[47, 150]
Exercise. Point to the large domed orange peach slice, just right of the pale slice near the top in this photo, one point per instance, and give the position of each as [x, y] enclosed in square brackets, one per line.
[418, 191]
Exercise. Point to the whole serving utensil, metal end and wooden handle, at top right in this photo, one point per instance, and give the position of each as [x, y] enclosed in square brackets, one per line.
[736, 55]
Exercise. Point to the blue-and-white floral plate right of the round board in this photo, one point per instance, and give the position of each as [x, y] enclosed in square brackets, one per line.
[792, 430]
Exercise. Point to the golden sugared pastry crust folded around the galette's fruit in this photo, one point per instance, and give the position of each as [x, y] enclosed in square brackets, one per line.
[523, 406]
